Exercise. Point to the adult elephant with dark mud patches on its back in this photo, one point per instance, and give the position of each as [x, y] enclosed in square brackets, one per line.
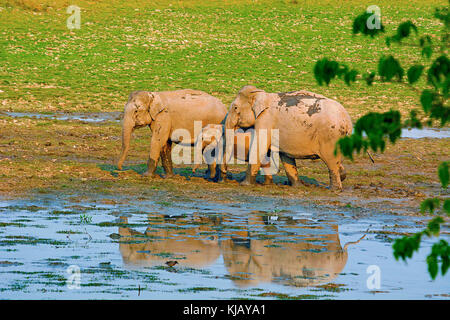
[309, 126]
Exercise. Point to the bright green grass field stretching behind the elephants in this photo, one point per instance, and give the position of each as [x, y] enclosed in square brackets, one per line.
[215, 46]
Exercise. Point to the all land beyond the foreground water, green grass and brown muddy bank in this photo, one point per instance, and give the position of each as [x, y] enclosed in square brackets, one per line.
[215, 46]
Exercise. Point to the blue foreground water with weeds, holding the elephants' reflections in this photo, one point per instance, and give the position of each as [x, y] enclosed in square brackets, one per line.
[61, 248]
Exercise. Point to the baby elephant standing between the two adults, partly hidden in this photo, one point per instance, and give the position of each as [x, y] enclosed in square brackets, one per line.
[212, 141]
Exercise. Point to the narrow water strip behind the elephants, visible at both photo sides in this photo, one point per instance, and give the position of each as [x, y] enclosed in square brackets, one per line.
[439, 133]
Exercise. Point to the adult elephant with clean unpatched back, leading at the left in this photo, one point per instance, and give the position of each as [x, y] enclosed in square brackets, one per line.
[164, 112]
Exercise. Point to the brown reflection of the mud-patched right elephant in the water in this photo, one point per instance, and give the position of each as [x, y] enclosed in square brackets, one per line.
[305, 262]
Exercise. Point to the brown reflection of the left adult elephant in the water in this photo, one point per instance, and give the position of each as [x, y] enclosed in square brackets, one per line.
[189, 244]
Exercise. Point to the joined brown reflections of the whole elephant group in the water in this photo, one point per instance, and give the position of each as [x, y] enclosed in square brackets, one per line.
[300, 261]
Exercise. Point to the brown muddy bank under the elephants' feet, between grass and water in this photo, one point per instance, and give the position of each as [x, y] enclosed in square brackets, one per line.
[44, 156]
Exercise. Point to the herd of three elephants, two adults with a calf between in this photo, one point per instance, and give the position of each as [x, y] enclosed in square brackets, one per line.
[307, 126]
